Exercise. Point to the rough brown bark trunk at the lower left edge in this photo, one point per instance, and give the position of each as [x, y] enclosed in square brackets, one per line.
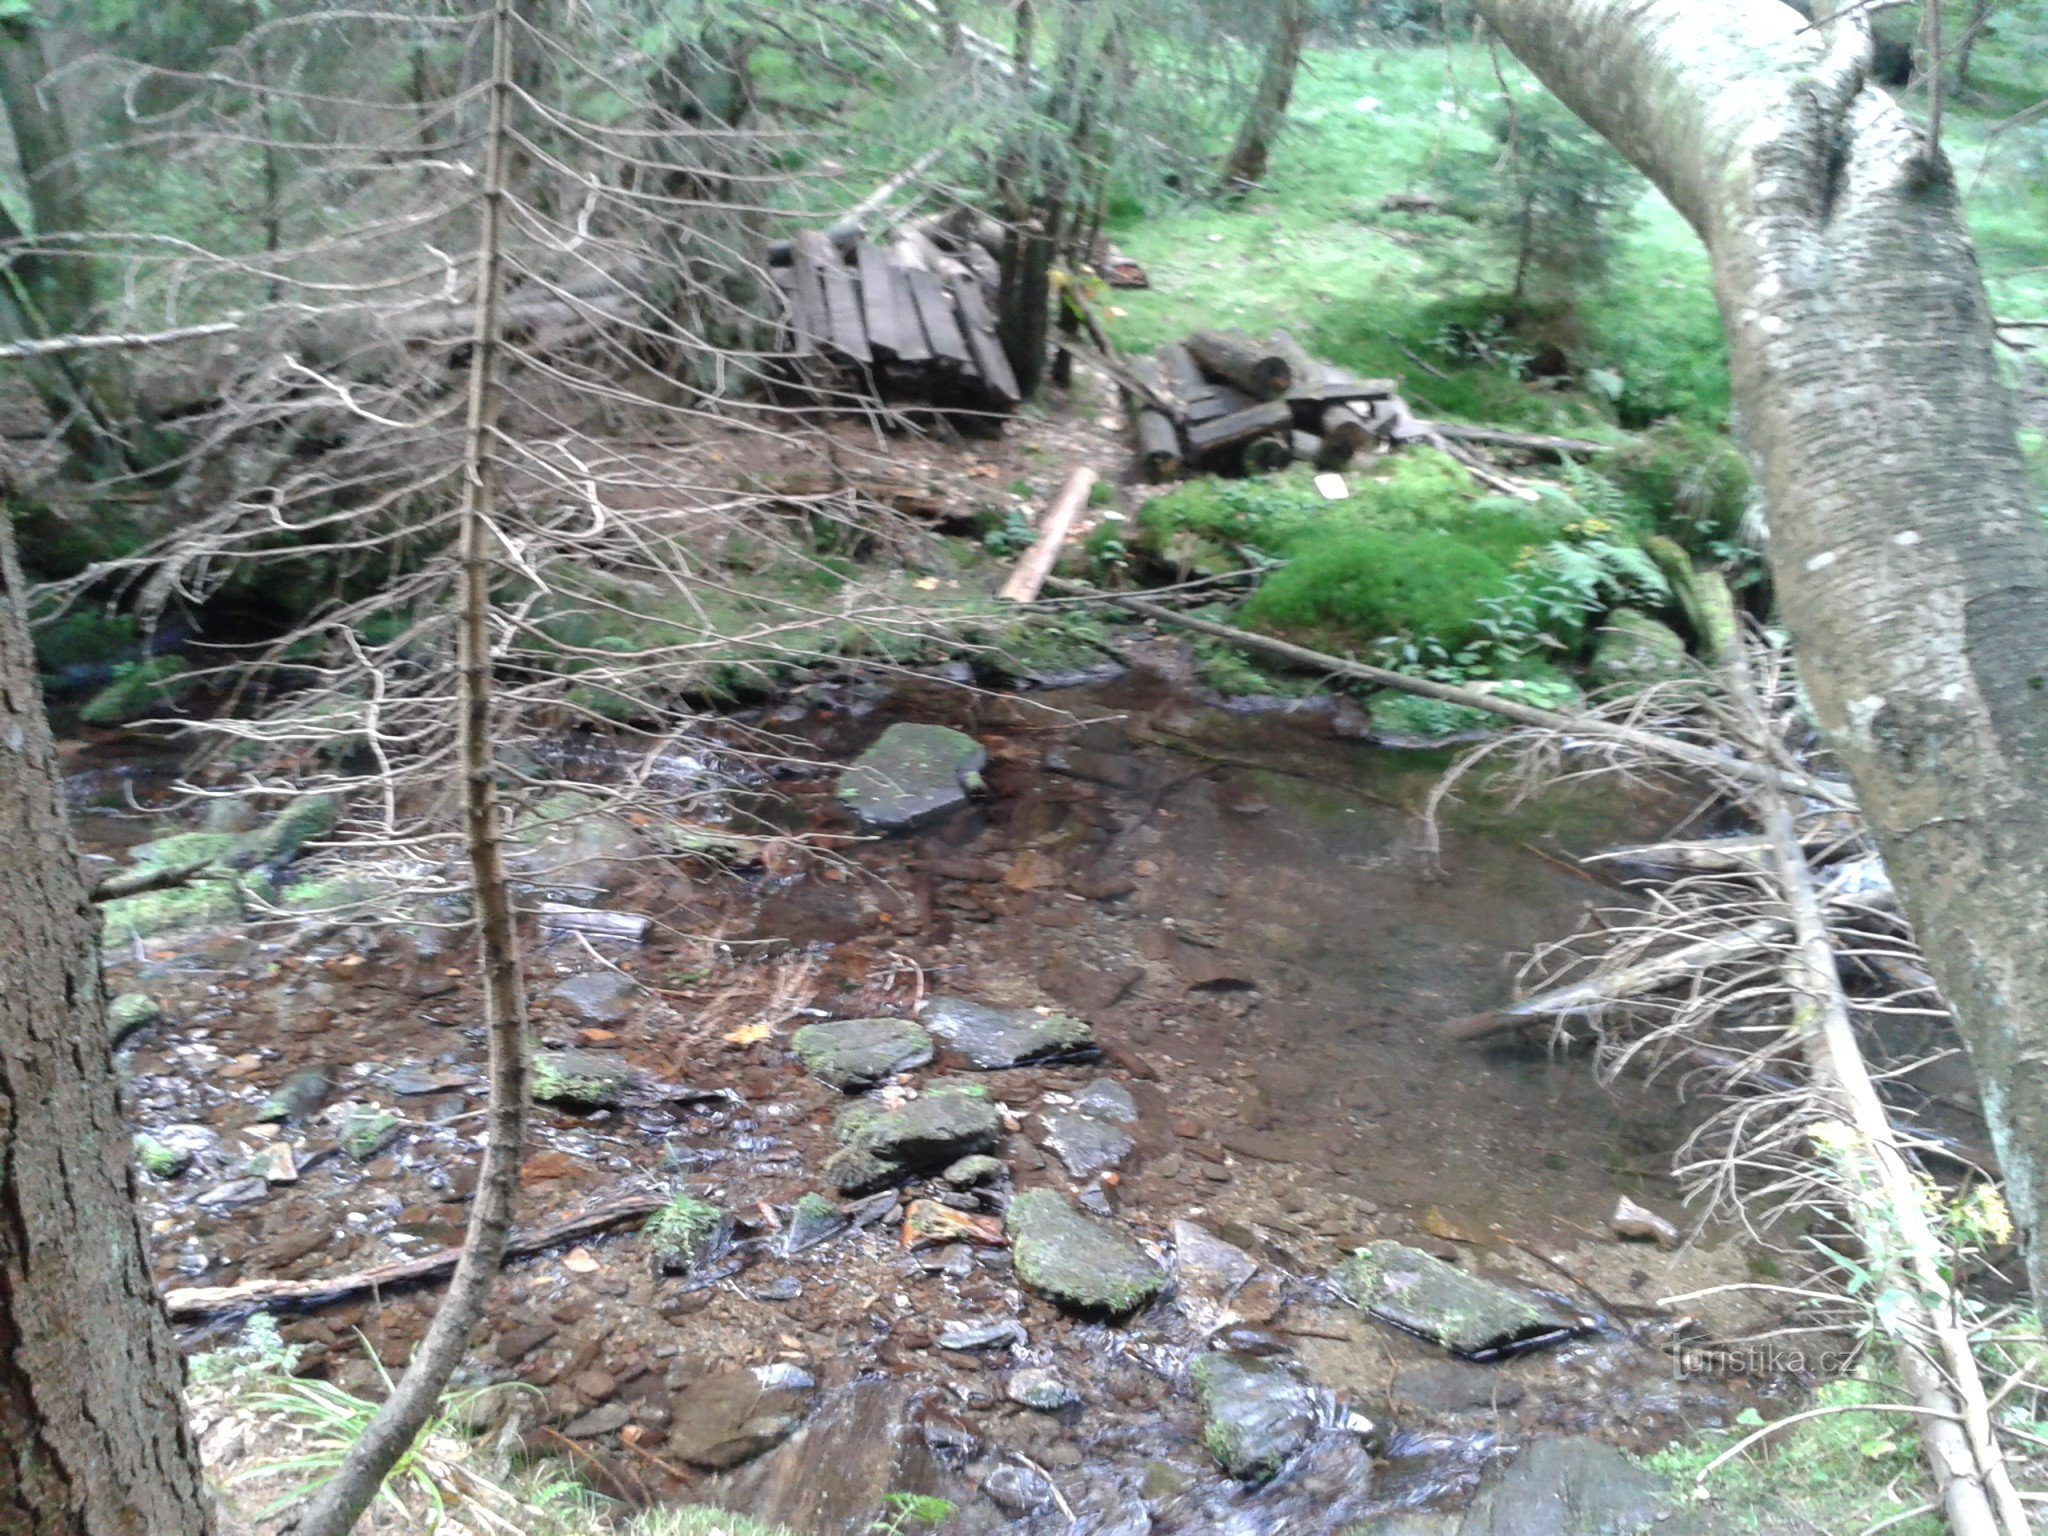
[93, 1437]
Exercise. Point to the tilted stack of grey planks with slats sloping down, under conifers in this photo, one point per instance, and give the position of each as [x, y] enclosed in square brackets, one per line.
[914, 318]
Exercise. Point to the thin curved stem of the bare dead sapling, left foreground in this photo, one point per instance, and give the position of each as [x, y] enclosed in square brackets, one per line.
[490, 1220]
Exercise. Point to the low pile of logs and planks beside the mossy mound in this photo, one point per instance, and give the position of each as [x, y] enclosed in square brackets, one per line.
[1224, 402]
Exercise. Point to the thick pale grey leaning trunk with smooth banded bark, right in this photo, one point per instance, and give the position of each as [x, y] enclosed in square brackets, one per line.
[1906, 544]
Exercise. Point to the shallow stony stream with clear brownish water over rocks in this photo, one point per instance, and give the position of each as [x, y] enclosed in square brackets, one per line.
[1242, 914]
